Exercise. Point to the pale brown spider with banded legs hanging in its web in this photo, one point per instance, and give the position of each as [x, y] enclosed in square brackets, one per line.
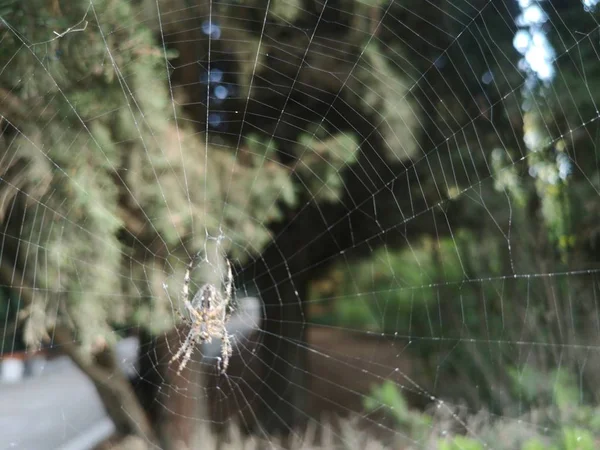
[207, 314]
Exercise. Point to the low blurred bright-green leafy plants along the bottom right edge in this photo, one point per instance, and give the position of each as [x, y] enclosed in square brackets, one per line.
[574, 427]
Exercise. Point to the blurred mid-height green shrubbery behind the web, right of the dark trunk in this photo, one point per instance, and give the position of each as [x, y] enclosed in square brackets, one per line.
[421, 291]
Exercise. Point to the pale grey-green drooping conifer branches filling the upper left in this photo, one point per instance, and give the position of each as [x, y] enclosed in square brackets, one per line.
[105, 173]
